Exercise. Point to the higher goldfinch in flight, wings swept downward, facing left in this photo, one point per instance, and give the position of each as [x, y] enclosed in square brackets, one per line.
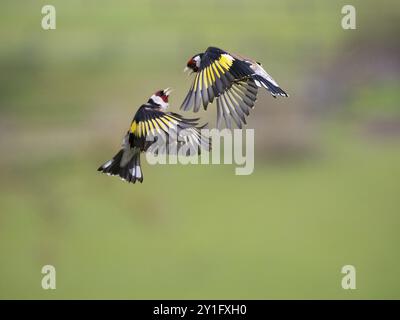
[230, 79]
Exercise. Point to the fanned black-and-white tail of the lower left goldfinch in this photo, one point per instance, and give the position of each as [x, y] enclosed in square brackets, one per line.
[126, 164]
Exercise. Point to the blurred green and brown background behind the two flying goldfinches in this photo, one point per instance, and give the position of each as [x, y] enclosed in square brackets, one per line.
[326, 187]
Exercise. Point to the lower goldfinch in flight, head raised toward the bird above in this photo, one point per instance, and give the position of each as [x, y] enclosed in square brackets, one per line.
[150, 122]
